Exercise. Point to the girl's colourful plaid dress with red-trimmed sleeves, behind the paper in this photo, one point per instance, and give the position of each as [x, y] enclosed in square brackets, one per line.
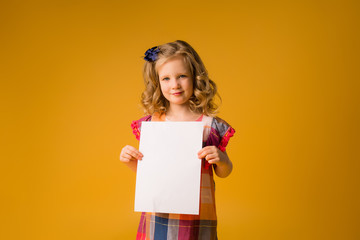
[162, 226]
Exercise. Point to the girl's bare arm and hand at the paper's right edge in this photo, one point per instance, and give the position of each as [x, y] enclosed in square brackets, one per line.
[223, 165]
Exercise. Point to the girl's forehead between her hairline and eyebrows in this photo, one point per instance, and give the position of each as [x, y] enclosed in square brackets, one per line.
[177, 64]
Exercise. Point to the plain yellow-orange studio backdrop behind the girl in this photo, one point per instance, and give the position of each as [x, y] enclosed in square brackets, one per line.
[288, 74]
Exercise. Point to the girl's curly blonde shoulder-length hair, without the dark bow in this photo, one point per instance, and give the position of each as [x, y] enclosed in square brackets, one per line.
[205, 90]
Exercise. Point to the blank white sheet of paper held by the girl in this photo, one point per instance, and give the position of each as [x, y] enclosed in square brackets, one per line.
[168, 176]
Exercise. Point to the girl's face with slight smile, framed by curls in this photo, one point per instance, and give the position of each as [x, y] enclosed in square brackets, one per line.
[176, 81]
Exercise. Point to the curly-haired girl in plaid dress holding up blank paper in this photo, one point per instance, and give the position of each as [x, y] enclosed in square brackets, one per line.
[177, 88]
